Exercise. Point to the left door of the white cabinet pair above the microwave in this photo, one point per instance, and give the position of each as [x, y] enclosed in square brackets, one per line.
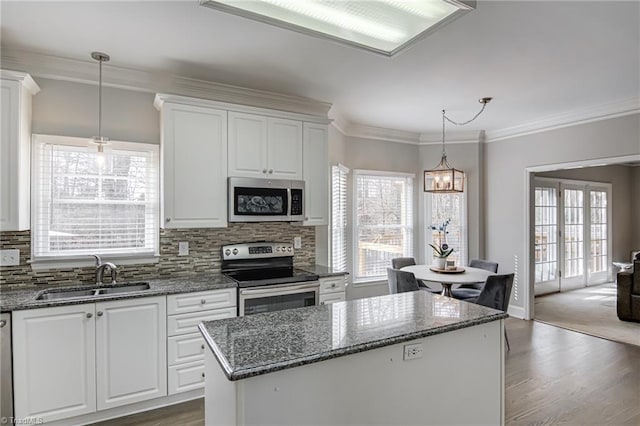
[247, 145]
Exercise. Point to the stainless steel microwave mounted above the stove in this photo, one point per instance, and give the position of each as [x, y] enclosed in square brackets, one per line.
[266, 200]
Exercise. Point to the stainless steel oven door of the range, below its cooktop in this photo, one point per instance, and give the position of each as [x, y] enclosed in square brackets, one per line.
[256, 300]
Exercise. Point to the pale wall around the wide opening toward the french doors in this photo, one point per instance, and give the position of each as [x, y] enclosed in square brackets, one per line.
[506, 162]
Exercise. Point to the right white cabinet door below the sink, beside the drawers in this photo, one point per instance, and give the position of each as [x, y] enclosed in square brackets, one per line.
[131, 351]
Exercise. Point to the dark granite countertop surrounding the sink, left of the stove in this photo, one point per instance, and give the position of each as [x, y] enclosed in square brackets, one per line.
[13, 300]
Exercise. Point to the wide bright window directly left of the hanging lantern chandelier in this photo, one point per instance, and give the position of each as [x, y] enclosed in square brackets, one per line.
[383, 222]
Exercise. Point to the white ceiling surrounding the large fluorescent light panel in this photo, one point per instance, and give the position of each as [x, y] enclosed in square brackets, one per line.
[537, 59]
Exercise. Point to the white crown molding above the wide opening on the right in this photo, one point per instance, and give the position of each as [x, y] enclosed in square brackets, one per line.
[621, 108]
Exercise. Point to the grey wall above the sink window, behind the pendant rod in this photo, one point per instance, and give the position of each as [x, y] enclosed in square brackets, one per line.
[71, 109]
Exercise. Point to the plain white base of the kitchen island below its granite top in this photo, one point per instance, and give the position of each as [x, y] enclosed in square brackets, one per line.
[459, 368]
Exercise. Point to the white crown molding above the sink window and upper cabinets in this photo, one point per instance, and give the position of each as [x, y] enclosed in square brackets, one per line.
[78, 71]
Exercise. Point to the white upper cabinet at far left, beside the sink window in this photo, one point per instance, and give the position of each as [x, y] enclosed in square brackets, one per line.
[15, 149]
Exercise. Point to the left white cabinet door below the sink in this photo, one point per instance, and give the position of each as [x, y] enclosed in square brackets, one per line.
[54, 362]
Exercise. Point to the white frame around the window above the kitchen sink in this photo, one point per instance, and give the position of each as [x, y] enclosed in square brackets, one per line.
[40, 262]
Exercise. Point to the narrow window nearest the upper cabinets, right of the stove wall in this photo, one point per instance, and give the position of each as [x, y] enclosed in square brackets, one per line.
[339, 176]
